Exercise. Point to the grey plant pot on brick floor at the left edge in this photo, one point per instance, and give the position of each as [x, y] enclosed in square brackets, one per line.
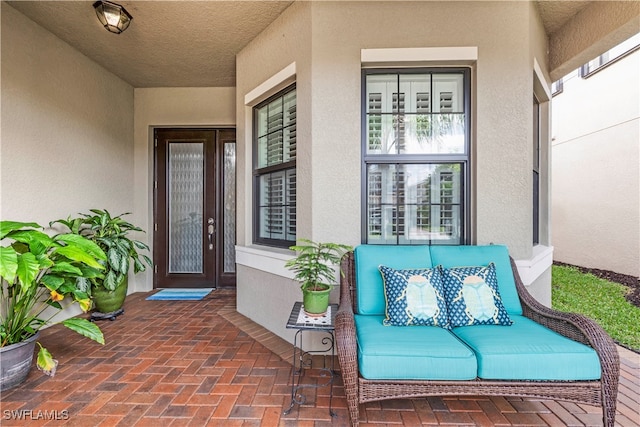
[15, 362]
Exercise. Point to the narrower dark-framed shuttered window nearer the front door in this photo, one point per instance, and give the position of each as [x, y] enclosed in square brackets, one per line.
[275, 169]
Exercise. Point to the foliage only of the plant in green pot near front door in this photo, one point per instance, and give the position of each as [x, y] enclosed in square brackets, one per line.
[113, 235]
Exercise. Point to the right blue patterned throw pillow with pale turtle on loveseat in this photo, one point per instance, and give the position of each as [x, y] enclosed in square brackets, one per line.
[473, 297]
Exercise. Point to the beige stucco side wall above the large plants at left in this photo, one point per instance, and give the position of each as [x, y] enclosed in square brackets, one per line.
[67, 128]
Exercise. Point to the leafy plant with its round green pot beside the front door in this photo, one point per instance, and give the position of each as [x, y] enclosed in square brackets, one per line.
[113, 235]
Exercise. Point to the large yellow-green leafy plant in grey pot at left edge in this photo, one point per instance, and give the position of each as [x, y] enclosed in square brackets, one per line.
[41, 275]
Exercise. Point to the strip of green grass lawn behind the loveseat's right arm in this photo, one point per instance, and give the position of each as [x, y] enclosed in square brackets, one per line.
[598, 299]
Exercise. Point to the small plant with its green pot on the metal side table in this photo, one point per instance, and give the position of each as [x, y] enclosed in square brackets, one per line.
[314, 267]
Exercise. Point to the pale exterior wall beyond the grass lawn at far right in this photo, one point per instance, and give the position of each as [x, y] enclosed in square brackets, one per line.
[596, 169]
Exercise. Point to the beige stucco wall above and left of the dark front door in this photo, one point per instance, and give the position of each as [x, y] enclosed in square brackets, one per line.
[170, 107]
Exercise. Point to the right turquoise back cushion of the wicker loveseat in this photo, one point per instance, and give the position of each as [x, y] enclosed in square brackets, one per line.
[471, 256]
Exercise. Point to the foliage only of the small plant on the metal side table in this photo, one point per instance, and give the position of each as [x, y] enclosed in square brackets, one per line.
[313, 266]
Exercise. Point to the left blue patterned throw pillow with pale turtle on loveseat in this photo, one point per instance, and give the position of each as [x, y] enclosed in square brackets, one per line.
[414, 297]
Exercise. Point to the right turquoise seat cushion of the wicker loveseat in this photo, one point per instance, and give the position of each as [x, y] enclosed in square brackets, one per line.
[528, 351]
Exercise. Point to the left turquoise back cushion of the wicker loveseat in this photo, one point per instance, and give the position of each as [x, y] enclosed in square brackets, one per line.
[370, 290]
